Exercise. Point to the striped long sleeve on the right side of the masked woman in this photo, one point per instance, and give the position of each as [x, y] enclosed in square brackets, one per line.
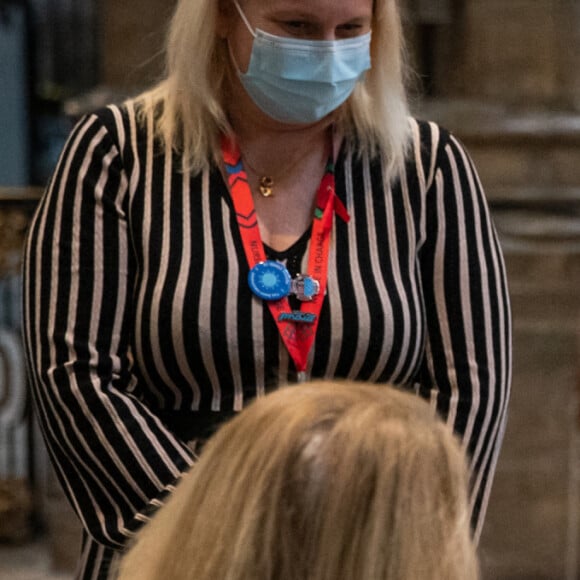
[467, 367]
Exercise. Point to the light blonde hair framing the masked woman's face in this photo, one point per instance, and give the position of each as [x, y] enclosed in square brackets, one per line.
[188, 104]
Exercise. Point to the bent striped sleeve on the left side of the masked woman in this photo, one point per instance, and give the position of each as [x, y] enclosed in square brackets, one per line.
[114, 458]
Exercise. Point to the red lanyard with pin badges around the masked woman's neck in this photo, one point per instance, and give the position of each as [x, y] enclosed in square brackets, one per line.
[297, 336]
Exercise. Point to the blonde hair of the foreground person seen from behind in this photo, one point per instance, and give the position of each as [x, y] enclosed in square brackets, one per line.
[326, 481]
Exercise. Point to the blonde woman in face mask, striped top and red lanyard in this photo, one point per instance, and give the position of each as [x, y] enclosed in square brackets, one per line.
[267, 214]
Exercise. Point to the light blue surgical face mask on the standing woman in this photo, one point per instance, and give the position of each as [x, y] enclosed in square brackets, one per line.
[301, 81]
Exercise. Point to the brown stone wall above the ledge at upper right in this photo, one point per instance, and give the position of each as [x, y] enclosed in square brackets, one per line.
[524, 53]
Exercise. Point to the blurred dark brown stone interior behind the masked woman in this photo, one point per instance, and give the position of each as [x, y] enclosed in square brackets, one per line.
[503, 75]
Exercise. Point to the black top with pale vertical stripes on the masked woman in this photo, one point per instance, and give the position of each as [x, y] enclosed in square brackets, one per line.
[137, 307]
